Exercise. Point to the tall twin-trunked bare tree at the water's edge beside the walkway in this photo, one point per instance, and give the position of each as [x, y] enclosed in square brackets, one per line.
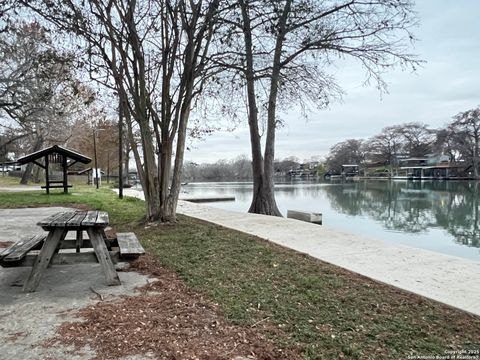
[282, 51]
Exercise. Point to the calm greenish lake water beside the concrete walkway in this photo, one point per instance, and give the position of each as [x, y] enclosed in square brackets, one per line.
[441, 216]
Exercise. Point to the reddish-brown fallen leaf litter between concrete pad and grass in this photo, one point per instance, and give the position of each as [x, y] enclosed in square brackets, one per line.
[167, 321]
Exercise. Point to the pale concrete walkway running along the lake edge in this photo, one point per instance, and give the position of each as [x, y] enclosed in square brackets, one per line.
[451, 280]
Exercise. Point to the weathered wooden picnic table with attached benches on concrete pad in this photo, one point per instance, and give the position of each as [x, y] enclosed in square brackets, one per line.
[52, 247]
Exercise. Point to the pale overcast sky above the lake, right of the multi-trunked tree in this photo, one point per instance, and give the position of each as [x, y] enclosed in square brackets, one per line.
[449, 82]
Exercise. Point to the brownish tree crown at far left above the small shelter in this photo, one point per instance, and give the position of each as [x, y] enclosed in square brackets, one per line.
[39, 94]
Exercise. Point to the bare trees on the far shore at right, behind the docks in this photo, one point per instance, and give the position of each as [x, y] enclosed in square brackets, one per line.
[459, 139]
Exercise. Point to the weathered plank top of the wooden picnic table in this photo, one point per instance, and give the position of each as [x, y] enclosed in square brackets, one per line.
[76, 219]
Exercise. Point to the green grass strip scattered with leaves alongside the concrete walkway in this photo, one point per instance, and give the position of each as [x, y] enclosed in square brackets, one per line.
[299, 301]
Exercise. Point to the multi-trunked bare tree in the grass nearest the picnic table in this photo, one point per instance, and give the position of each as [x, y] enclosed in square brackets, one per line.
[154, 55]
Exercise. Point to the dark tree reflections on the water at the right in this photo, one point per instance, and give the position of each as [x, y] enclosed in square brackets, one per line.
[413, 207]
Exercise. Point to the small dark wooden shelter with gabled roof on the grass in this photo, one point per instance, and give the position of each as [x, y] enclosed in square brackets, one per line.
[55, 155]
